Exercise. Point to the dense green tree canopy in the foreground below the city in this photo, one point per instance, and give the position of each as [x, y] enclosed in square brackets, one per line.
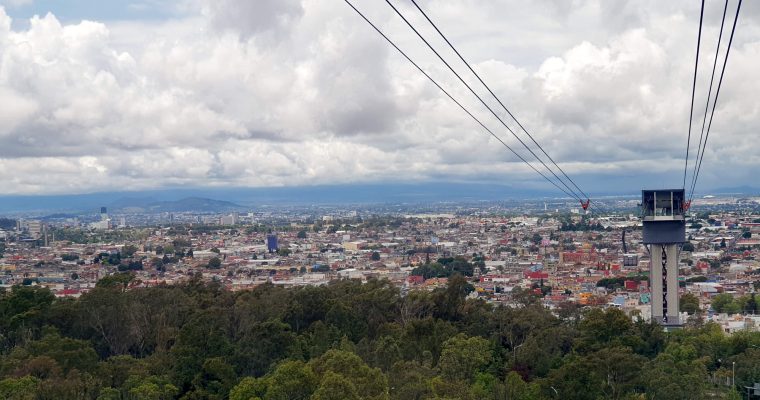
[347, 341]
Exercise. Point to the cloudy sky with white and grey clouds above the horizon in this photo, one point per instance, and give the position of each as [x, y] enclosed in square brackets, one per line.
[127, 95]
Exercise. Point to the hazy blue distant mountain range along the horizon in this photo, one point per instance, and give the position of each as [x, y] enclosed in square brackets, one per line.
[237, 199]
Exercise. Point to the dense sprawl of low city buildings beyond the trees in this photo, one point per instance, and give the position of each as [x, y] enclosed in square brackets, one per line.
[567, 258]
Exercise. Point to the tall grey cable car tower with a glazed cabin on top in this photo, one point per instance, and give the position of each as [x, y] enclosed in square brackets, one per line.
[664, 230]
